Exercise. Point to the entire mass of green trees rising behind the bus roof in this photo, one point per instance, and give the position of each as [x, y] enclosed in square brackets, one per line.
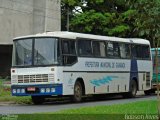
[121, 18]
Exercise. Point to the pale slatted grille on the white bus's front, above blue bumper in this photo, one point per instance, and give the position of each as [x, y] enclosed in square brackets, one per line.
[33, 78]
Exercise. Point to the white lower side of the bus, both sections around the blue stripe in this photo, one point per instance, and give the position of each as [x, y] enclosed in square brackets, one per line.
[112, 77]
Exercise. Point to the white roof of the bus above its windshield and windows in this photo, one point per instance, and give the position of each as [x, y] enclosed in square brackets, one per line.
[74, 35]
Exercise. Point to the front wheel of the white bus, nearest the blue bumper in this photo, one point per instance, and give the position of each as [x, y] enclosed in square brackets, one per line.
[77, 97]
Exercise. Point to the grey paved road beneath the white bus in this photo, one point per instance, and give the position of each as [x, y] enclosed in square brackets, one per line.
[56, 106]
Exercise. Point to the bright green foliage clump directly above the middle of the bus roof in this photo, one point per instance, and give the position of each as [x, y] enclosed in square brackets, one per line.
[101, 23]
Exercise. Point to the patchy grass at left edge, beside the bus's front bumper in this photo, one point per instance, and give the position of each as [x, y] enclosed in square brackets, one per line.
[5, 95]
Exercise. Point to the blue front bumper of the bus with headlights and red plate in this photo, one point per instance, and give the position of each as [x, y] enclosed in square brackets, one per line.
[36, 90]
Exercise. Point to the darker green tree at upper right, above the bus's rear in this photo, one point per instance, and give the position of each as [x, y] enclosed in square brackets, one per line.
[147, 23]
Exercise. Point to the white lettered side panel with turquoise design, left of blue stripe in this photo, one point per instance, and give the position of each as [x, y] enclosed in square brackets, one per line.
[98, 75]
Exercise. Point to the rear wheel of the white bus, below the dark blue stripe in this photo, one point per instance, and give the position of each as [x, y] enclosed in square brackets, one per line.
[133, 89]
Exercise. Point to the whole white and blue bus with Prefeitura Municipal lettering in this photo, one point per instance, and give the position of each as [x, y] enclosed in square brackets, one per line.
[75, 65]
